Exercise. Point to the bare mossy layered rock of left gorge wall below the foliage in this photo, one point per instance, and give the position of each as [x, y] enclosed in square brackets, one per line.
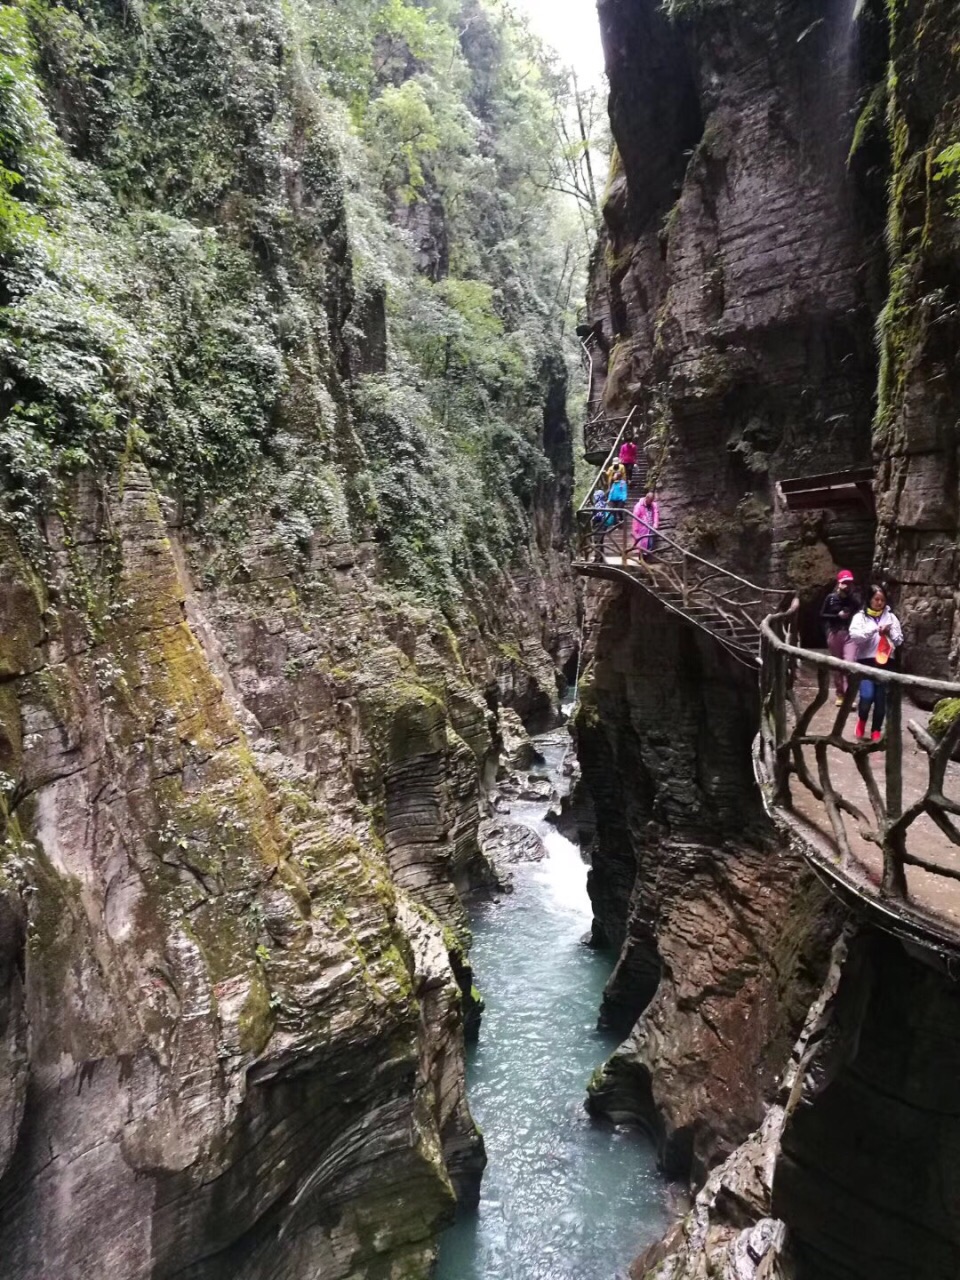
[239, 821]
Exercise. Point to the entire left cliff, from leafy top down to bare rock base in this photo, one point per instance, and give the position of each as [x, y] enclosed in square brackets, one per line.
[243, 758]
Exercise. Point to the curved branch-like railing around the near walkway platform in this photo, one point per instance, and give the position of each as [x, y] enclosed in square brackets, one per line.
[900, 811]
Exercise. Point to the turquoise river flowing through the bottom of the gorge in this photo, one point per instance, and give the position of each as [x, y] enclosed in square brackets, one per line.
[564, 1197]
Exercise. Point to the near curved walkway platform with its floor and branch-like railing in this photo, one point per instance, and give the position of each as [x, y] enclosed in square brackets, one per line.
[877, 820]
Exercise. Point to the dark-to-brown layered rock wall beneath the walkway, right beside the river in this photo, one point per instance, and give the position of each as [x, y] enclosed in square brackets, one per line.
[723, 938]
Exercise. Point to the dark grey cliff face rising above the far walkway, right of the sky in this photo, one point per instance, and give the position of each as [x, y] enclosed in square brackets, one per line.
[739, 276]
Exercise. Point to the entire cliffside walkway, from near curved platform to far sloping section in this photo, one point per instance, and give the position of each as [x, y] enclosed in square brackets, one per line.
[880, 822]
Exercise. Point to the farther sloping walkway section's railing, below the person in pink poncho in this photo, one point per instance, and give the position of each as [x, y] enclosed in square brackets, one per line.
[714, 598]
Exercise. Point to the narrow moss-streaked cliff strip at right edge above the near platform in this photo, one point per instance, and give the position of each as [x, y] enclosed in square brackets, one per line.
[920, 386]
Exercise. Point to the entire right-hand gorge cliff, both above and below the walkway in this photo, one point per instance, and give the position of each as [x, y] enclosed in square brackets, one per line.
[740, 281]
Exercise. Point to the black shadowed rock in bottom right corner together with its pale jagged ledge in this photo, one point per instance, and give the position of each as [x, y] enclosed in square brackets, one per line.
[852, 1172]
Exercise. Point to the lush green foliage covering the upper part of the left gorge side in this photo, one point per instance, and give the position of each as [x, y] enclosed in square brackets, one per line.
[300, 257]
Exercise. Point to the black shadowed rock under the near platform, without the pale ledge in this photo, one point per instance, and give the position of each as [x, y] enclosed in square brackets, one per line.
[866, 1176]
